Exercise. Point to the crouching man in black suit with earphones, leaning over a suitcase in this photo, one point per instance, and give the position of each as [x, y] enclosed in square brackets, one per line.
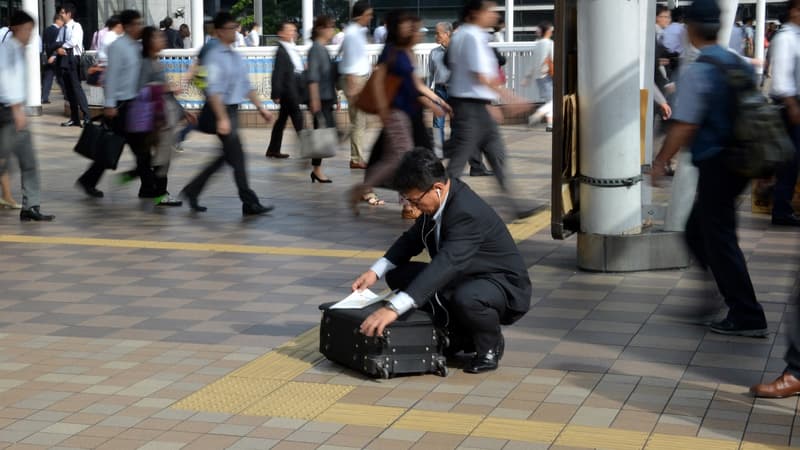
[476, 279]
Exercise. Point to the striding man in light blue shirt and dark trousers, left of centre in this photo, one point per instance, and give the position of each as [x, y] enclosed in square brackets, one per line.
[228, 85]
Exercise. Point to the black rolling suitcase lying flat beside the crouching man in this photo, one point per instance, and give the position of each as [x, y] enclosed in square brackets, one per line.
[410, 345]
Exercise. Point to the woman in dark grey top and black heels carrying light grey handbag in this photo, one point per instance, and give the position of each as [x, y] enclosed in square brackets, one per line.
[321, 85]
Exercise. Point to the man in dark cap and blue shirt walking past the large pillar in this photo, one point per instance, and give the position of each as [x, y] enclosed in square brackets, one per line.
[702, 121]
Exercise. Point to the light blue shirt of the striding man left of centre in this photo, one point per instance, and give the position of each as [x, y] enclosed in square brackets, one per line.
[227, 74]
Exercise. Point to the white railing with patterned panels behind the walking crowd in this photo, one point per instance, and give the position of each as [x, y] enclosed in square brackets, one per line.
[260, 61]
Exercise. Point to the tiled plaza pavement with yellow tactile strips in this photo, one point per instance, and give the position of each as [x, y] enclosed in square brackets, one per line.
[123, 325]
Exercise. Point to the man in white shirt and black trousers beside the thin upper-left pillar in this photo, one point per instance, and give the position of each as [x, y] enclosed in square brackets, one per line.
[69, 60]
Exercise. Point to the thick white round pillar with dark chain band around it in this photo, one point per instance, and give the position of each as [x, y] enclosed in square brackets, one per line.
[608, 83]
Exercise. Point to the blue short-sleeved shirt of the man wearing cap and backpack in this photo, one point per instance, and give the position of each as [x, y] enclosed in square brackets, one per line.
[704, 99]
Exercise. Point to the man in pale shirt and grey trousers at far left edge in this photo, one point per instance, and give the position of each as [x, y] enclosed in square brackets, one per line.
[15, 137]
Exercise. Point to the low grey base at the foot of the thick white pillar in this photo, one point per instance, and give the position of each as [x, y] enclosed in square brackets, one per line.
[651, 250]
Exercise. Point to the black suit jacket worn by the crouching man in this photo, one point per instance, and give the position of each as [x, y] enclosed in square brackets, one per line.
[474, 243]
